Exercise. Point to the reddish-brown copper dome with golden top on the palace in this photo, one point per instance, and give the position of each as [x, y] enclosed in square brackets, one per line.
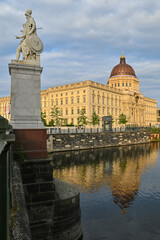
[122, 68]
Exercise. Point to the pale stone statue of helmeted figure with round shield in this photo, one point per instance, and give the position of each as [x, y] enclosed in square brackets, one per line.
[31, 46]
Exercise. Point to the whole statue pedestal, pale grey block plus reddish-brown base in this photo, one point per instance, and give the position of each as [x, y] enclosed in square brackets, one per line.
[26, 109]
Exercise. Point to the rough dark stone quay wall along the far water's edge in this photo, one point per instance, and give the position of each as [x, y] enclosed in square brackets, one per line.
[64, 142]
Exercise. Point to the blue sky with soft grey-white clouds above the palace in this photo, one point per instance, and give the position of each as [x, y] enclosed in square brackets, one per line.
[83, 40]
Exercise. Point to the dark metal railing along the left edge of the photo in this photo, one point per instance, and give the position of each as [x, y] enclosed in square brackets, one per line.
[6, 140]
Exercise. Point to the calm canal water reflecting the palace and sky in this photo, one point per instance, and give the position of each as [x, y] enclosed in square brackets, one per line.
[119, 190]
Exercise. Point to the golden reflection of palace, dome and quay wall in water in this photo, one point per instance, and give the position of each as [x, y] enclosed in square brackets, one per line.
[120, 169]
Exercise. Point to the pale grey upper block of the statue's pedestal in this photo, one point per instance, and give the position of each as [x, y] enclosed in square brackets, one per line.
[25, 96]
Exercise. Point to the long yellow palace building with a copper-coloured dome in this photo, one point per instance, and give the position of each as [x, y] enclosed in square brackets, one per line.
[119, 95]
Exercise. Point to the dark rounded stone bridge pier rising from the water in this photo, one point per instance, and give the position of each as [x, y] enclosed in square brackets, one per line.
[53, 206]
